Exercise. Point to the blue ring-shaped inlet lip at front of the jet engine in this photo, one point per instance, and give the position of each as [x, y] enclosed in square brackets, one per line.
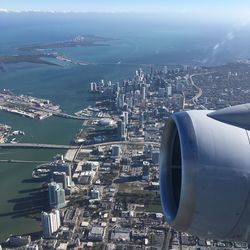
[179, 217]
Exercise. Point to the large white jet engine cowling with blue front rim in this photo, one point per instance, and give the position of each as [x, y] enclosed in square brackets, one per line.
[205, 176]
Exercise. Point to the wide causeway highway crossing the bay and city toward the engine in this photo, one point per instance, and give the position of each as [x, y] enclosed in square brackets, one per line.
[52, 146]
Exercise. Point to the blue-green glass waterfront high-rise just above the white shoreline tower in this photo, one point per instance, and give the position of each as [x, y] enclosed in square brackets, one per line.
[56, 195]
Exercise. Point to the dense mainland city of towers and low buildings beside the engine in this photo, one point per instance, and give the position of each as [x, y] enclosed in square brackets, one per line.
[105, 195]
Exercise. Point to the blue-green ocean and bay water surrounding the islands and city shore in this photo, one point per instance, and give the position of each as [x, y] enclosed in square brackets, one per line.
[135, 42]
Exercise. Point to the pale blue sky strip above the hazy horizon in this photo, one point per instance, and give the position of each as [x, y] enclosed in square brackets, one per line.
[210, 8]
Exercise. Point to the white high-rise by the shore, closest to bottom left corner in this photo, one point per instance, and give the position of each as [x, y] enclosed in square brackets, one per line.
[50, 223]
